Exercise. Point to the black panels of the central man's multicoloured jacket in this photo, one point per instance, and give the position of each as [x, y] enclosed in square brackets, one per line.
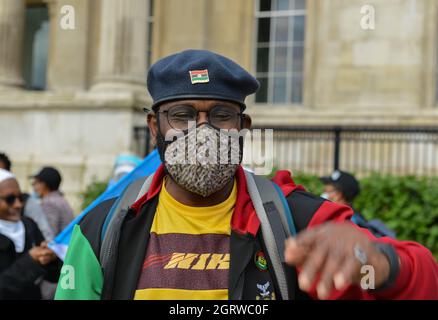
[121, 280]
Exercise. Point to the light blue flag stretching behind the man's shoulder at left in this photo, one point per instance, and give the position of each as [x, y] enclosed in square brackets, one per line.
[148, 166]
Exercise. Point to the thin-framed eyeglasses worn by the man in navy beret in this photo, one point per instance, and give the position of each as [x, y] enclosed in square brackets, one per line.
[220, 116]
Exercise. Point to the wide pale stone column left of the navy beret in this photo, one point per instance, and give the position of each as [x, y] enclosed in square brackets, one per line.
[122, 45]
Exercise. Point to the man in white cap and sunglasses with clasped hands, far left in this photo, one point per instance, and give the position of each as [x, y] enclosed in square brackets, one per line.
[25, 259]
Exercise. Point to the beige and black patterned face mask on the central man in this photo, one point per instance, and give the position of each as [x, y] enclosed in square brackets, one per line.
[203, 160]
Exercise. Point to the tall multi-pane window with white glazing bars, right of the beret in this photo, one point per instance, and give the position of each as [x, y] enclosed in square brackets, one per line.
[280, 50]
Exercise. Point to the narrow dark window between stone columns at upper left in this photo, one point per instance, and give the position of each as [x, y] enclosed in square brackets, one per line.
[36, 45]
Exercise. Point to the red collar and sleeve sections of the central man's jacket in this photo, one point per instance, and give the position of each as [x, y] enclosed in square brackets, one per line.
[418, 277]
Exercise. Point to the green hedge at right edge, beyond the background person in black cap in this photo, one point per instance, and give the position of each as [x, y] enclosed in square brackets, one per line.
[408, 205]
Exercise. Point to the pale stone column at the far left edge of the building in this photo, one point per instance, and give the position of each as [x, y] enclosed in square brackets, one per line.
[12, 15]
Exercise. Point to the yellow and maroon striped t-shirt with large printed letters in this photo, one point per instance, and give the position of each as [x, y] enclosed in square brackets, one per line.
[188, 253]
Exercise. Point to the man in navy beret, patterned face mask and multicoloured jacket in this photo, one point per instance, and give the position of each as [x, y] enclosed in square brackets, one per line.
[194, 234]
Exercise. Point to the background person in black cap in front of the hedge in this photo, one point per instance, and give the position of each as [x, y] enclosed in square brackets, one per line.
[342, 187]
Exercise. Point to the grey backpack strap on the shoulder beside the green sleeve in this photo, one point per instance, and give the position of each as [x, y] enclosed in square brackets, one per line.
[112, 226]
